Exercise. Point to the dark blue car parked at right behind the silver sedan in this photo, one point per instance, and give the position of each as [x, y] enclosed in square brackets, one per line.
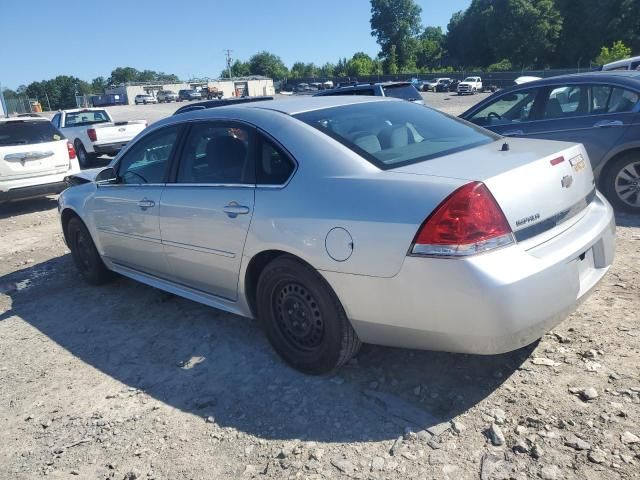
[599, 110]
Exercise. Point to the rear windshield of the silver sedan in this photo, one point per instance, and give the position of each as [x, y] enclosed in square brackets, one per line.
[393, 134]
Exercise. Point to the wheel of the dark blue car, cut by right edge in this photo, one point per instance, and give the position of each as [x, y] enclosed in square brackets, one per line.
[620, 182]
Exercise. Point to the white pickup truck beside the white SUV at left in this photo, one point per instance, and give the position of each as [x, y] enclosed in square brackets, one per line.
[93, 132]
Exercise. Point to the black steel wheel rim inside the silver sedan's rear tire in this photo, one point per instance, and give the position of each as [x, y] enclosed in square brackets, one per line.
[298, 316]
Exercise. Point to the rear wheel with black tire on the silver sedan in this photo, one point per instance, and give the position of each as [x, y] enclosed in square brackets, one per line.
[289, 293]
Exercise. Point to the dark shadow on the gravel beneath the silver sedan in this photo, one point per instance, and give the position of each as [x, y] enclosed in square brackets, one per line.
[211, 363]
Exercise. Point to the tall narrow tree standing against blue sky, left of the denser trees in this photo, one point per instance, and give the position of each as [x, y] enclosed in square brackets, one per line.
[395, 24]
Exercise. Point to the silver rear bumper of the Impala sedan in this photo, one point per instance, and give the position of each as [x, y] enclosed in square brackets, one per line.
[487, 304]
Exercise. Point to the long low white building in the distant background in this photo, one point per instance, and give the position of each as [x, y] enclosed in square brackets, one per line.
[254, 86]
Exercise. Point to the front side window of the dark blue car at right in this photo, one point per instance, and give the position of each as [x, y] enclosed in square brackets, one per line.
[509, 108]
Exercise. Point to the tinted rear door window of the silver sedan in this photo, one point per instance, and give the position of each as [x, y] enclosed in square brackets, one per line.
[214, 153]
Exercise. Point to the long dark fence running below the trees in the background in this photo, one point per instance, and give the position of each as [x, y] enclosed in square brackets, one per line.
[499, 79]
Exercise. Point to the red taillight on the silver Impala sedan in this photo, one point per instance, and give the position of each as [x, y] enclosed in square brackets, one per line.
[468, 221]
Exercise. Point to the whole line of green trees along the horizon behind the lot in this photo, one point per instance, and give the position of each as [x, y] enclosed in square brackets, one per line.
[489, 35]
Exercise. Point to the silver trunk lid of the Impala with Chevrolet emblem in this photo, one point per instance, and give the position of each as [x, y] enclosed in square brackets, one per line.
[538, 184]
